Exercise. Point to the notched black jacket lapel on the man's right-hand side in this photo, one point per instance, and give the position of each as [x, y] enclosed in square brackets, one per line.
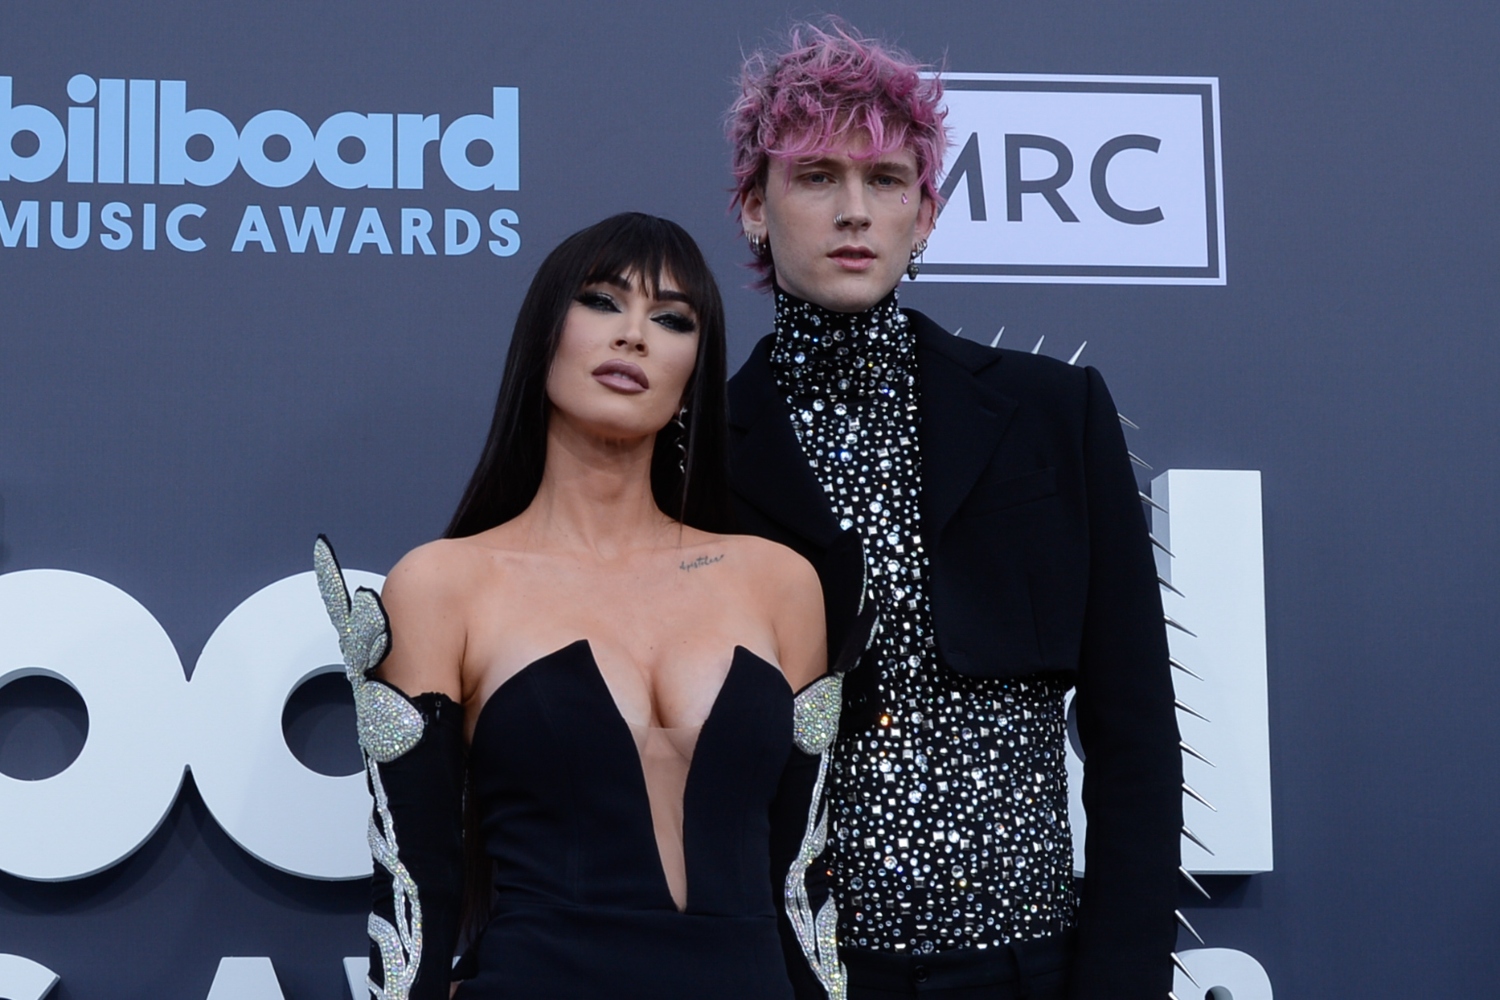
[962, 421]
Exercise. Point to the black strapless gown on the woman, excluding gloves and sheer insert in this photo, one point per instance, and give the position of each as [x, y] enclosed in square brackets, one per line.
[583, 906]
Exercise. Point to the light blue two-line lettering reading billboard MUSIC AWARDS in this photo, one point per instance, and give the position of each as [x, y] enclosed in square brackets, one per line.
[142, 133]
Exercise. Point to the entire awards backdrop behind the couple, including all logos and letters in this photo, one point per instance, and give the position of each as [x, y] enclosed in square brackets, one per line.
[257, 275]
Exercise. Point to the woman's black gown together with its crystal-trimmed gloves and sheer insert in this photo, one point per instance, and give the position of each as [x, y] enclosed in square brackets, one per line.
[611, 878]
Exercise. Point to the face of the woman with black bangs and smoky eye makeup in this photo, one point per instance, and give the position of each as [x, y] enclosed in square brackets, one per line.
[625, 359]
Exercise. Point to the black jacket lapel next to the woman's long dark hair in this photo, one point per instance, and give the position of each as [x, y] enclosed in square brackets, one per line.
[767, 464]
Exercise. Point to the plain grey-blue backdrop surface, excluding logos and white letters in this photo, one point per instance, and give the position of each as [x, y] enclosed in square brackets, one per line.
[182, 425]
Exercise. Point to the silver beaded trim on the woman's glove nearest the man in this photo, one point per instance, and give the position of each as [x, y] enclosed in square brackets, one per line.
[815, 726]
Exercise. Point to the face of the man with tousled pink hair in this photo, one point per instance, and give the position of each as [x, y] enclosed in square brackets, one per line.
[841, 227]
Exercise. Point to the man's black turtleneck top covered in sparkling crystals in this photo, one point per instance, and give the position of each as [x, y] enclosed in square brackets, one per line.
[950, 813]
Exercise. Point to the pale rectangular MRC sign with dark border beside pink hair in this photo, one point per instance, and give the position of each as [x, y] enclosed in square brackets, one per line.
[1081, 179]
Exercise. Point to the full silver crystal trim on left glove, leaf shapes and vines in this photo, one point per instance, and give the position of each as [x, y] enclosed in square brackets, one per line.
[389, 726]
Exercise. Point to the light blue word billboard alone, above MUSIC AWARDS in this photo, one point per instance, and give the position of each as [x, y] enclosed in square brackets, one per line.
[139, 133]
